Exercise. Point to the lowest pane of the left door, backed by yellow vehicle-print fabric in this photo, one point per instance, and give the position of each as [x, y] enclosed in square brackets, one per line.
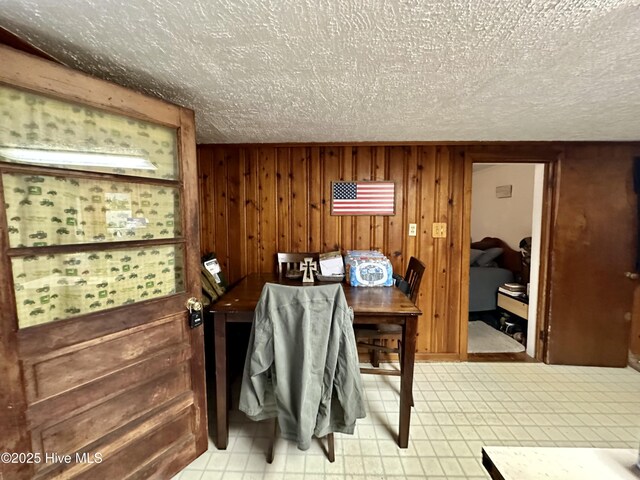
[54, 287]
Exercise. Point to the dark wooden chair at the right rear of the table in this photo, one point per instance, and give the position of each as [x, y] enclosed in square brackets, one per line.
[376, 339]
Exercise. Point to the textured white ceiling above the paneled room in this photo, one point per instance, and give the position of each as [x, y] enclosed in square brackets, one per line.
[361, 70]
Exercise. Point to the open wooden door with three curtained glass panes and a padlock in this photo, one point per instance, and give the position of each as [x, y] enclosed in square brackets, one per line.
[102, 376]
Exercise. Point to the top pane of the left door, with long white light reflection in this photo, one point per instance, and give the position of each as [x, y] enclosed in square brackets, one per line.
[45, 130]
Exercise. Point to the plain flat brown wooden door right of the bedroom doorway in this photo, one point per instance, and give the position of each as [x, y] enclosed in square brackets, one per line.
[593, 245]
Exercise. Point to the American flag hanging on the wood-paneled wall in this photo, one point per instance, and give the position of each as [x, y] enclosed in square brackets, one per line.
[362, 198]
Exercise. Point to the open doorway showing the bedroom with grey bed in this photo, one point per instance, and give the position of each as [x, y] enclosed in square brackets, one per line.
[506, 231]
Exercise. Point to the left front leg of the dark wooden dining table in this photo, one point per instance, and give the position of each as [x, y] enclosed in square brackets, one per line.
[222, 419]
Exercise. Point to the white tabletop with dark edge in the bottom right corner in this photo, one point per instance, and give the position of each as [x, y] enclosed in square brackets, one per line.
[554, 463]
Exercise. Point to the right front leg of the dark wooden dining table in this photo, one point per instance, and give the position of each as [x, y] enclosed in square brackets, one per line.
[409, 330]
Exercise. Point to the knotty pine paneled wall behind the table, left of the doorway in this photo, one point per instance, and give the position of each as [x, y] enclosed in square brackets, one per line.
[259, 200]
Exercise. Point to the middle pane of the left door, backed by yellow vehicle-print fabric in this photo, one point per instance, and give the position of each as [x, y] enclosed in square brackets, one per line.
[46, 210]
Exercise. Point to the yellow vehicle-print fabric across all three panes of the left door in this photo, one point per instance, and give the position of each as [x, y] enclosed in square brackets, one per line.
[72, 209]
